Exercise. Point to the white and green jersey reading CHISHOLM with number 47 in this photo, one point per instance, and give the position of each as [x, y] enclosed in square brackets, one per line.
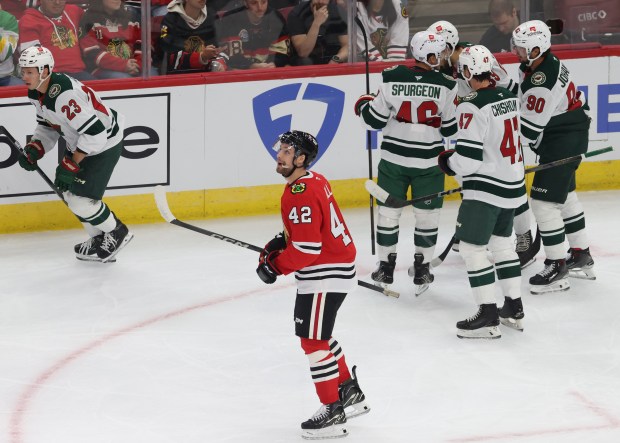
[488, 155]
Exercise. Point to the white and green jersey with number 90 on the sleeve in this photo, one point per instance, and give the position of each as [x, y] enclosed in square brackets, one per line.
[546, 95]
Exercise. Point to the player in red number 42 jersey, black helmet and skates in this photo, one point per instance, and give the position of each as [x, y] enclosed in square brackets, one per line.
[316, 245]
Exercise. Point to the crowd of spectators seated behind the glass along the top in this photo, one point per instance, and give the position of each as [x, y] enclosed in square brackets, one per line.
[117, 39]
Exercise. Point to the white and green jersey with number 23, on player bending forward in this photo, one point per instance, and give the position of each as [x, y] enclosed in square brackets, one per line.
[74, 111]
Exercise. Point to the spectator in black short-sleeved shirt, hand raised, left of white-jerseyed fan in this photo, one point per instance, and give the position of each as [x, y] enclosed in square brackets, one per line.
[318, 33]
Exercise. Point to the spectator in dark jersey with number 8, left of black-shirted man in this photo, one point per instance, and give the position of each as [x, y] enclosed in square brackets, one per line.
[255, 36]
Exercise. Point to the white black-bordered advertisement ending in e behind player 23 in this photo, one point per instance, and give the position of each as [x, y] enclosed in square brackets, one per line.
[144, 162]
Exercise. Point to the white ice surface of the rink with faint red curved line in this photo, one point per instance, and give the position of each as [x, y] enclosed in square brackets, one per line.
[180, 342]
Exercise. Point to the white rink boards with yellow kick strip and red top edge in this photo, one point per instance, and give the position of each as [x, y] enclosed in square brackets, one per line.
[209, 138]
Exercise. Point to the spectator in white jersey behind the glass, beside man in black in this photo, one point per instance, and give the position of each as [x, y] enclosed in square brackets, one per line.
[387, 28]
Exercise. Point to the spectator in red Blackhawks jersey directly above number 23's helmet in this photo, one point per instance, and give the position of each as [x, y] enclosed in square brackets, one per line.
[55, 25]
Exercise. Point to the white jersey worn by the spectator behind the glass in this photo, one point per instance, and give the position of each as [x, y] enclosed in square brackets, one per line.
[384, 42]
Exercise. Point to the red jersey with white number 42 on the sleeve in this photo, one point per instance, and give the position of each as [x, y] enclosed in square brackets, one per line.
[320, 249]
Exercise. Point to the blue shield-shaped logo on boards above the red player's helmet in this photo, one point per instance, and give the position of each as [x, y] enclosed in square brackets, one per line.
[287, 98]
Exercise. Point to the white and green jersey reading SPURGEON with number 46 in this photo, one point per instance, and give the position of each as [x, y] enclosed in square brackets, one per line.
[415, 108]
